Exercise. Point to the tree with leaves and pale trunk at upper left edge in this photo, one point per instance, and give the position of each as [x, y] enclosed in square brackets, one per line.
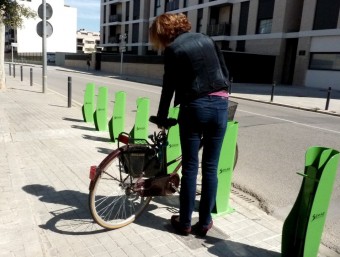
[11, 15]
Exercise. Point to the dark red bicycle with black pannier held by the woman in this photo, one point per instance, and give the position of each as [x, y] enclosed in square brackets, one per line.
[124, 183]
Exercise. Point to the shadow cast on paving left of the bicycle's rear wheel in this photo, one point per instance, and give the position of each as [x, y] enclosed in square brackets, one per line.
[73, 217]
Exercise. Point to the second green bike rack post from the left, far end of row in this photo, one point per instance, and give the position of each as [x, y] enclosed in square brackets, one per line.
[100, 115]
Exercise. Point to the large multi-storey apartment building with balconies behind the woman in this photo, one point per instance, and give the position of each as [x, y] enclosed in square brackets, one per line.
[303, 36]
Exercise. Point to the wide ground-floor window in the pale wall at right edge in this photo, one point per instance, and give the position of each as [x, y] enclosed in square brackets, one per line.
[325, 61]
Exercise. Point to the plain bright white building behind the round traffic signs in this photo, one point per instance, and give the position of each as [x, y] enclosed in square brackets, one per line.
[63, 22]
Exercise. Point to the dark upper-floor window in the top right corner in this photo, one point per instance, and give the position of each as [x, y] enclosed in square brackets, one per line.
[326, 14]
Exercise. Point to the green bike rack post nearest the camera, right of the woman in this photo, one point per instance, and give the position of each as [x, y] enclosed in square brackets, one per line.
[302, 229]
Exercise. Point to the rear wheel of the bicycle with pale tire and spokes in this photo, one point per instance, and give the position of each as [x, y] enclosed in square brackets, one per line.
[112, 202]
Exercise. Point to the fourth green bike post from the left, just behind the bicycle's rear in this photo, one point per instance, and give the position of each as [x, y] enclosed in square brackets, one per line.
[141, 128]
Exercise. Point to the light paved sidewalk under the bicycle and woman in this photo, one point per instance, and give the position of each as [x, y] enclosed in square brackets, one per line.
[47, 151]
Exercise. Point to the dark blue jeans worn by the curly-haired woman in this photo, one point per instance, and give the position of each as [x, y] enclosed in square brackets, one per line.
[205, 117]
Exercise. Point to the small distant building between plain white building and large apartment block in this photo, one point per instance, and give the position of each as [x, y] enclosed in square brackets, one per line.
[87, 42]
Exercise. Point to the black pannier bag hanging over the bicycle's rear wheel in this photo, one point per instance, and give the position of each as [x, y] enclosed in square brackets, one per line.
[139, 159]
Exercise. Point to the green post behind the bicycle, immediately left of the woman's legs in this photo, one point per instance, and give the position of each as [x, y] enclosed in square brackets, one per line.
[173, 149]
